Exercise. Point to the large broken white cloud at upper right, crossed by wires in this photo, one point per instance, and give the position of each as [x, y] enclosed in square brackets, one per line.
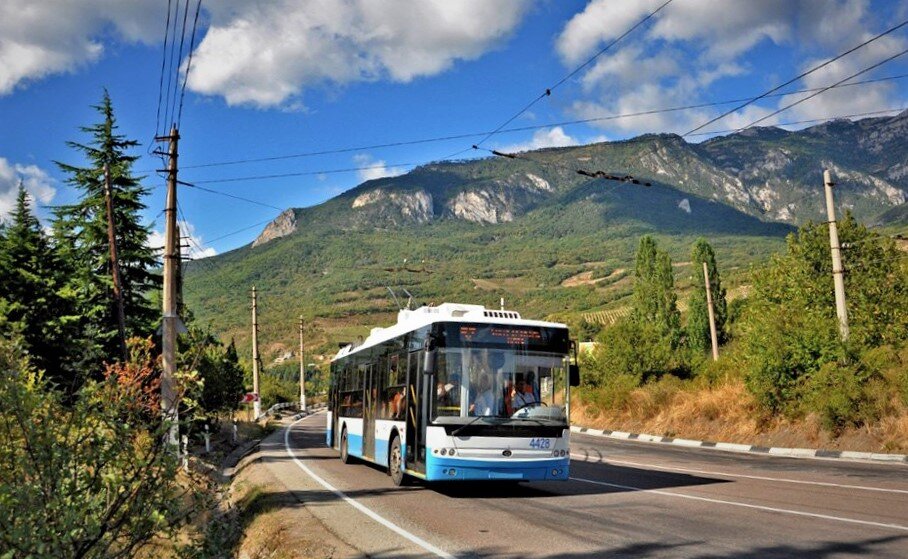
[674, 59]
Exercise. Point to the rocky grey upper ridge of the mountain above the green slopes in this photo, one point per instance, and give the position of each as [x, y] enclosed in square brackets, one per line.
[768, 173]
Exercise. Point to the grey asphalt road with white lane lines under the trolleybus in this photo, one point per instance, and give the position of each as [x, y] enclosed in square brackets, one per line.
[625, 499]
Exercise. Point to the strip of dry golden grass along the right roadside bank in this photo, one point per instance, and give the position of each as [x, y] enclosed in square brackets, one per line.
[727, 412]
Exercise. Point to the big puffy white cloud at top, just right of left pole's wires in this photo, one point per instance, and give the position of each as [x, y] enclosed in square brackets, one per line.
[265, 54]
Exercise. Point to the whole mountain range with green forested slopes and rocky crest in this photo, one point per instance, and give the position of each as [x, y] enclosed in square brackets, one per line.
[543, 229]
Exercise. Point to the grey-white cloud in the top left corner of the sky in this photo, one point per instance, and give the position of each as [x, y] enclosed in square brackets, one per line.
[40, 38]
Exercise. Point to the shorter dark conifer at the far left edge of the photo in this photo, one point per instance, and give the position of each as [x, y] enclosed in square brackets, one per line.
[31, 280]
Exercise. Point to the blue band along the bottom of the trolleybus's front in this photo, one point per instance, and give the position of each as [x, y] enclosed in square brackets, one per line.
[439, 469]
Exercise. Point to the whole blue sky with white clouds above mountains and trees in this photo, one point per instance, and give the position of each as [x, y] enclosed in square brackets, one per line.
[279, 77]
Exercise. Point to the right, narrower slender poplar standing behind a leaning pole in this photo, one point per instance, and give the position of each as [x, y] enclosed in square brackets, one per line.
[698, 336]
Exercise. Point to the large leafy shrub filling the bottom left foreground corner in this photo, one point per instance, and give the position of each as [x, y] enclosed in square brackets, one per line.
[91, 477]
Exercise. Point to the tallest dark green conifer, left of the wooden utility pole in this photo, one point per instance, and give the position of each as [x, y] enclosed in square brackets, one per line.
[81, 233]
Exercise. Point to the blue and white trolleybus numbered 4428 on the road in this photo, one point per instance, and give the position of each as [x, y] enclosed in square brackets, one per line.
[456, 392]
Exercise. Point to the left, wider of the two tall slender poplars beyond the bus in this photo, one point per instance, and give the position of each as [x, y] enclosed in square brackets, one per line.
[654, 300]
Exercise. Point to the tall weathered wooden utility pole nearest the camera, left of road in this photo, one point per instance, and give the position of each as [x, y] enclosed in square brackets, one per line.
[169, 401]
